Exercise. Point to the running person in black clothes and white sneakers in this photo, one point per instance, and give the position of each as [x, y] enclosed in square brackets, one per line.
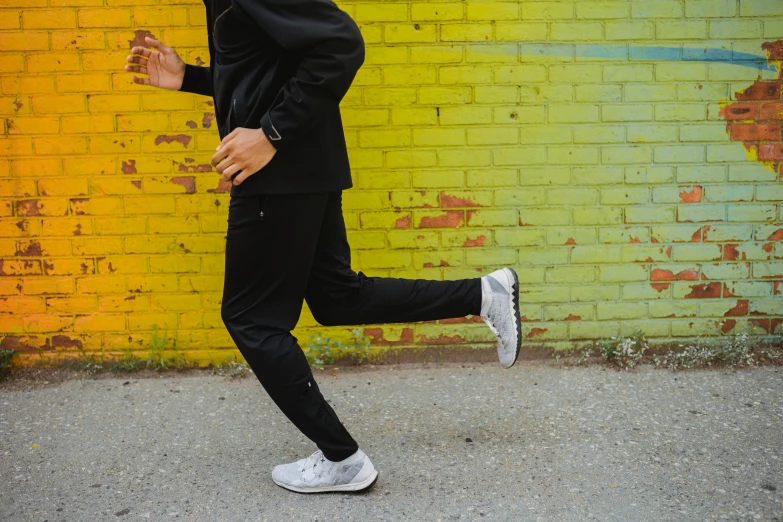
[278, 70]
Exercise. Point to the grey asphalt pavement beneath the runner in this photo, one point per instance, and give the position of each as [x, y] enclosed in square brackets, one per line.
[452, 442]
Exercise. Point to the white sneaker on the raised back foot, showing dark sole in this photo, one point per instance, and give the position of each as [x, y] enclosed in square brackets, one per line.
[500, 310]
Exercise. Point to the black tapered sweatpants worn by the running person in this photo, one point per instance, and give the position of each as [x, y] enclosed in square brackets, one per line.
[284, 249]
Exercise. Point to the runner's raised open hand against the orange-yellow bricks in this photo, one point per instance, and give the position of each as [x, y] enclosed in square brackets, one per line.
[164, 69]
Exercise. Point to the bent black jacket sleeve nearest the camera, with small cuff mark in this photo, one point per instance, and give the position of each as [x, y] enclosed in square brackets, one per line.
[331, 49]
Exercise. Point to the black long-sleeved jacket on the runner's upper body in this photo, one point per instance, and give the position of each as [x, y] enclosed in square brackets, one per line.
[282, 66]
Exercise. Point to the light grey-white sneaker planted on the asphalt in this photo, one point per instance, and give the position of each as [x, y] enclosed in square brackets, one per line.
[317, 474]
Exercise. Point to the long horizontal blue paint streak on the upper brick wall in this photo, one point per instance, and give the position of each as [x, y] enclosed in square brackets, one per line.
[642, 52]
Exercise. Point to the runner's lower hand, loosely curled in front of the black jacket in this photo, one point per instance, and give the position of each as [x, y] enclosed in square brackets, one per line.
[243, 149]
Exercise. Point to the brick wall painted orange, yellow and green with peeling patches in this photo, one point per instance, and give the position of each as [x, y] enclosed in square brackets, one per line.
[624, 155]
